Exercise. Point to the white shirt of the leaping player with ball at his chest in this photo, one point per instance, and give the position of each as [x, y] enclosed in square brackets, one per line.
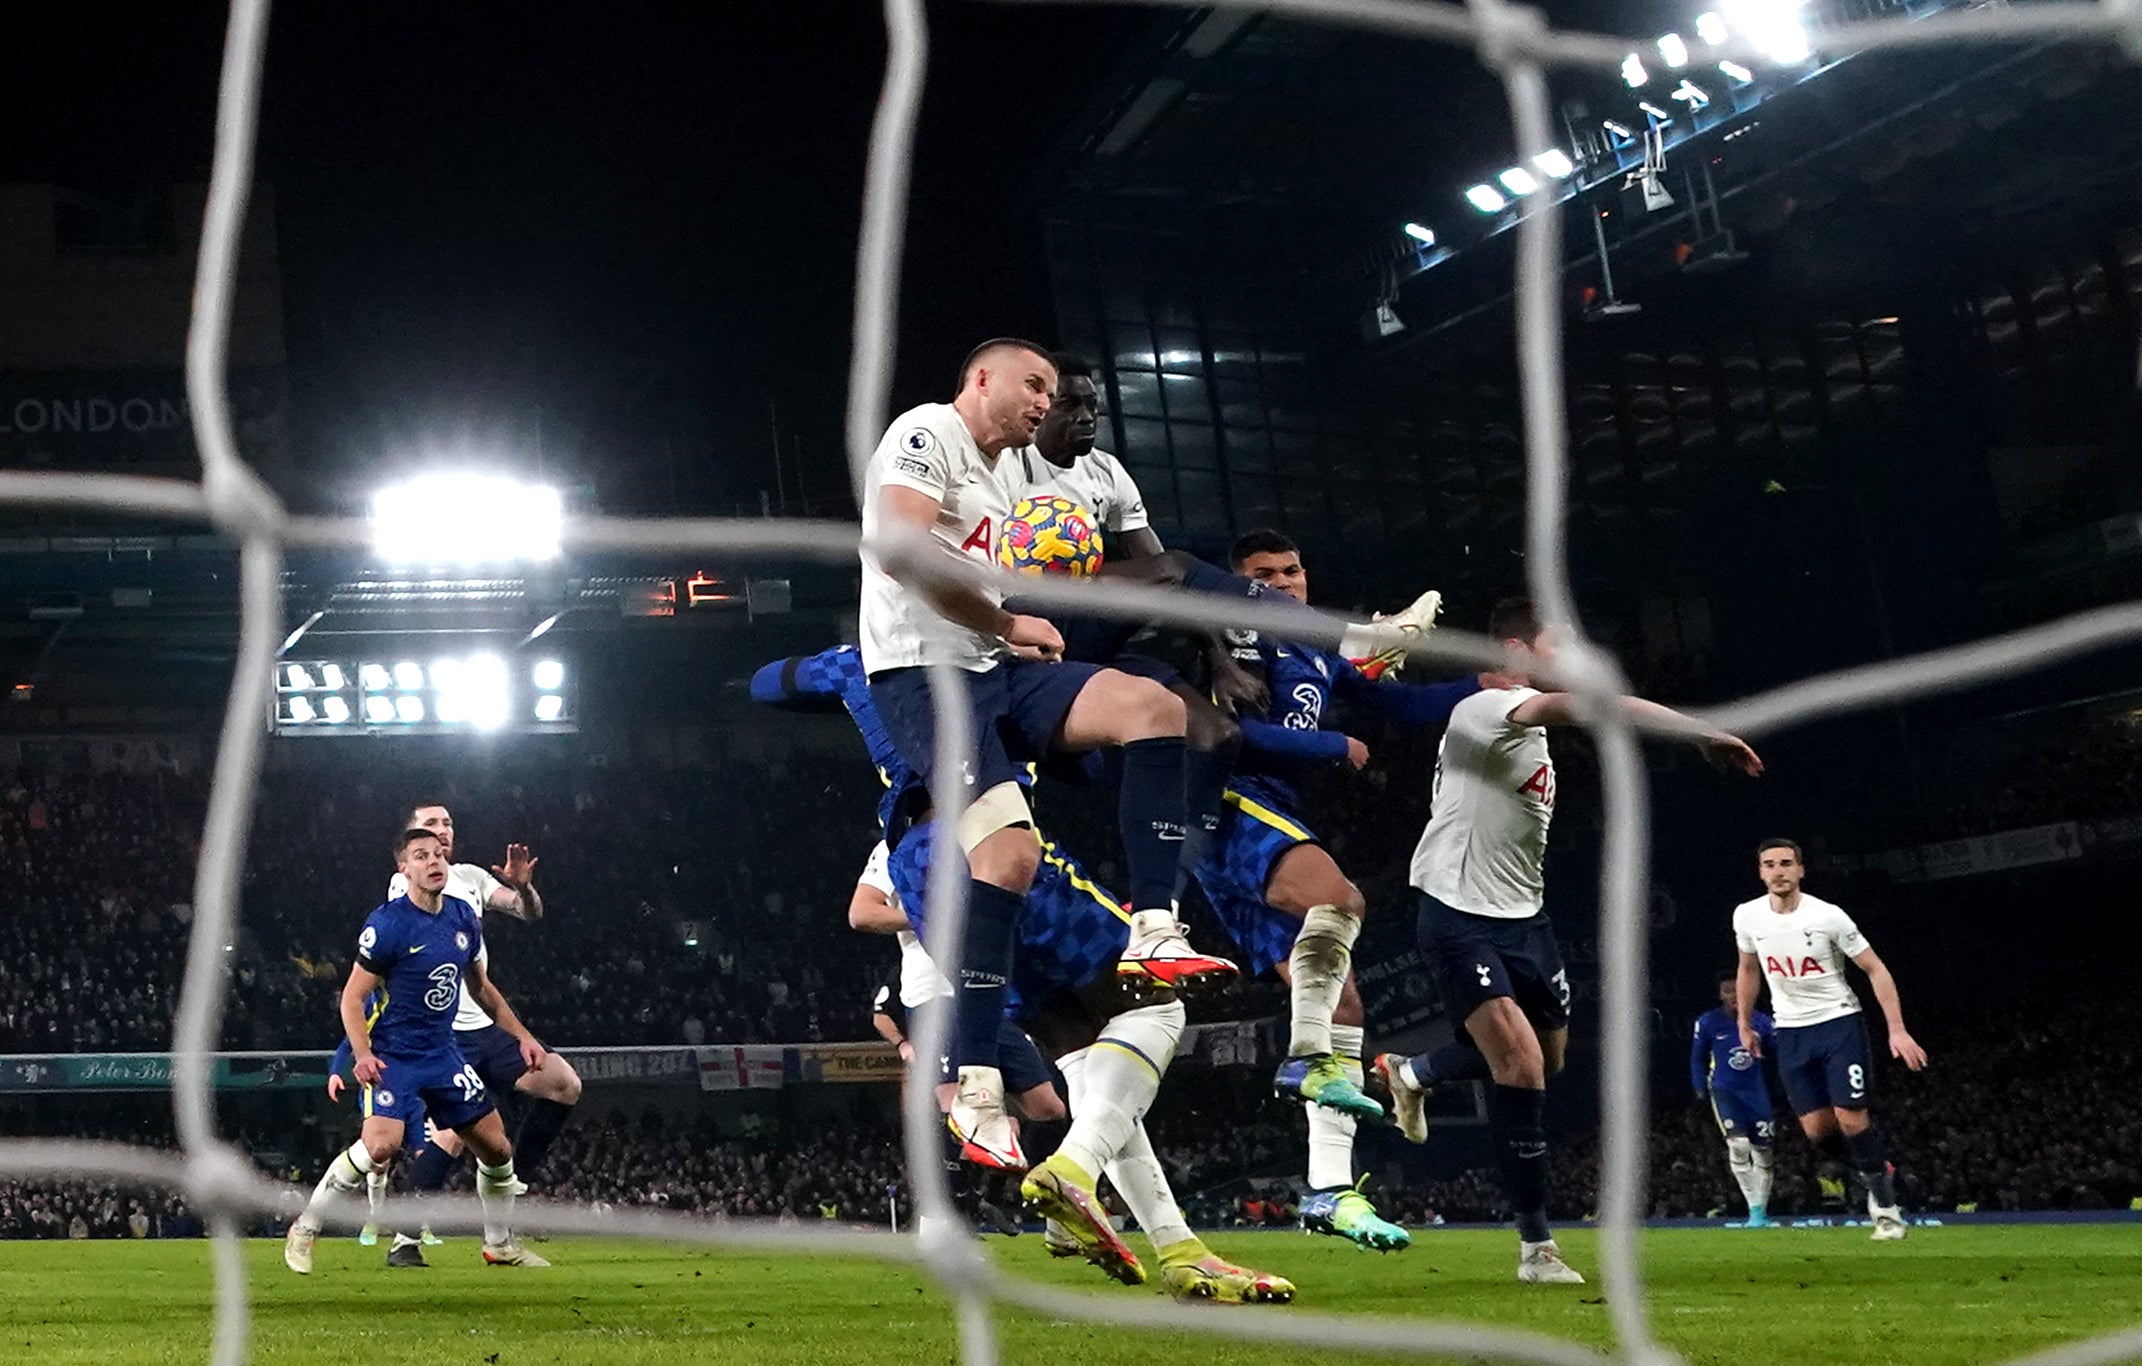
[931, 451]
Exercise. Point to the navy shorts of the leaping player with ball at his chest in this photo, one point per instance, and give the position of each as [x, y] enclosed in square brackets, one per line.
[1016, 710]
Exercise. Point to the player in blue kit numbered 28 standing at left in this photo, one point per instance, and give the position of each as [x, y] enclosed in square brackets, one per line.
[414, 954]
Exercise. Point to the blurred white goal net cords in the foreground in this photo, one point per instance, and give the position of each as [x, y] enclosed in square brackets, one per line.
[1518, 46]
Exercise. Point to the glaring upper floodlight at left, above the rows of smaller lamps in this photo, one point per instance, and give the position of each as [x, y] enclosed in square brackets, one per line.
[462, 519]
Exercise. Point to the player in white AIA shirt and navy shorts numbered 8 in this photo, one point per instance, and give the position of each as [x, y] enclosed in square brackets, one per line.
[1798, 945]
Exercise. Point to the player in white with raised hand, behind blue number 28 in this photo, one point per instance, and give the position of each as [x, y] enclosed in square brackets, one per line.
[554, 1089]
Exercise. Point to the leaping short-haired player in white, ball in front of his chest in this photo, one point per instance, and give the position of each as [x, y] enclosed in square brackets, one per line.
[939, 472]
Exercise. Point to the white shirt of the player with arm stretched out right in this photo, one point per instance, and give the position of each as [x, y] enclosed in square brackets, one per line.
[1494, 798]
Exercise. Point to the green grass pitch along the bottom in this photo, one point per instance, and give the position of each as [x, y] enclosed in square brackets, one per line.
[1721, 1296]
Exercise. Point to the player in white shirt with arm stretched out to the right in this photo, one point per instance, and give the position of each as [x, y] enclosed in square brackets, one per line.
[1481, 881]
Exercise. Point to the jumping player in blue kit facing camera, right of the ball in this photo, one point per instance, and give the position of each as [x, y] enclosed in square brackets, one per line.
[1284, 898]
